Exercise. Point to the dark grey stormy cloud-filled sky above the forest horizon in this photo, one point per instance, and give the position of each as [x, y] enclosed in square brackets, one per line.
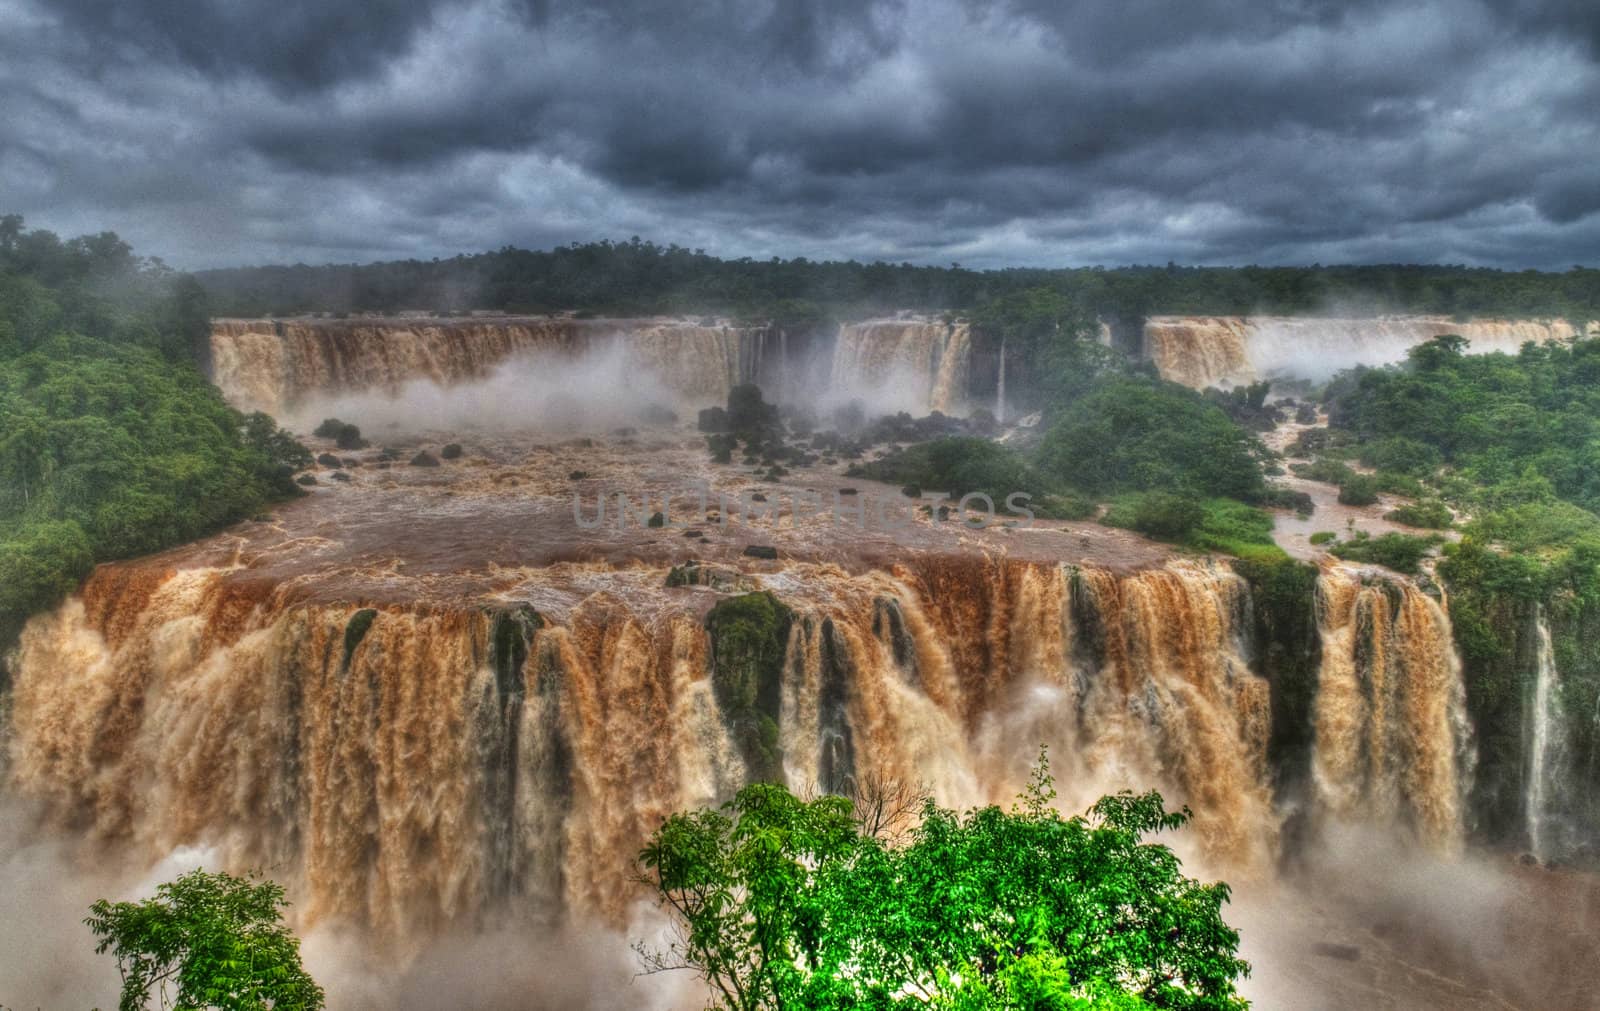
[1042, 134]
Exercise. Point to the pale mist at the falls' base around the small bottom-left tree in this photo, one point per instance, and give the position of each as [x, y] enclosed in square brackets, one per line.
[47, 954]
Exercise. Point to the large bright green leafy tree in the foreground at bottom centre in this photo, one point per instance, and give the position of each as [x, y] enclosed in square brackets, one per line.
[783, 903]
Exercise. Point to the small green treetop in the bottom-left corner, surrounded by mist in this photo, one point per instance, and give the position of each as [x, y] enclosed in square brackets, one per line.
[206, 941]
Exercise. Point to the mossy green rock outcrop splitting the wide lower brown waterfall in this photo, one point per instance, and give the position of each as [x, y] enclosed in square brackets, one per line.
[750, 636]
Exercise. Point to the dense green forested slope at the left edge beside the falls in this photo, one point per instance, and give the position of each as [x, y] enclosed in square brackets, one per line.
[111, 446]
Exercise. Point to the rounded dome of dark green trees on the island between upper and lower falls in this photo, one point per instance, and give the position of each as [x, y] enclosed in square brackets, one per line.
[1140, 434]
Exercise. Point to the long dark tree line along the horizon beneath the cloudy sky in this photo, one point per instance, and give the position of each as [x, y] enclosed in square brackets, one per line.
[639, 278]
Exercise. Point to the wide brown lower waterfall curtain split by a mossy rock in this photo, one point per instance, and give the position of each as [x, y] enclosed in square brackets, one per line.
[417, 767]
